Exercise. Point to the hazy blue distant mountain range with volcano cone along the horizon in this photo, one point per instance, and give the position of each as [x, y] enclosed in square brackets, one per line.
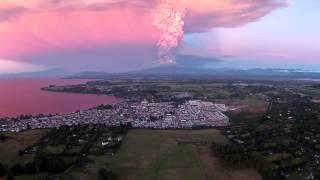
[177, 70]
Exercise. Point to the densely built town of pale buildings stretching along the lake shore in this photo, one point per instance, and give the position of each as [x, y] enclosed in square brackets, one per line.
[162, 115]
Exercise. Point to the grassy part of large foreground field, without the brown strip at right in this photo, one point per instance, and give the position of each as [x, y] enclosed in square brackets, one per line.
[156, 154]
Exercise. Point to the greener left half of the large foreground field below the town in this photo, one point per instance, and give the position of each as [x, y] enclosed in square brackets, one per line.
[137, 157]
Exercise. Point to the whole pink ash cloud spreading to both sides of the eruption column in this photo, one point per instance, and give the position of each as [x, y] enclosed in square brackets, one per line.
[35, 27]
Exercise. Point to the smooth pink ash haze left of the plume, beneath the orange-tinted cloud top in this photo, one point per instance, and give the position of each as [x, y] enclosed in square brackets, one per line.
[46, 31]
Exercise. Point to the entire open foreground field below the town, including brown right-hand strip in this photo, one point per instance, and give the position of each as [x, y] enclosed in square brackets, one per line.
[166, 155]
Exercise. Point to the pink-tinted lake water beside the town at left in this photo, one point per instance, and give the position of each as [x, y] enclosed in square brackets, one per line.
[23, 96]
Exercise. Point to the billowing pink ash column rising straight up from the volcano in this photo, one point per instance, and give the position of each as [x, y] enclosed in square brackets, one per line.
[169, 19]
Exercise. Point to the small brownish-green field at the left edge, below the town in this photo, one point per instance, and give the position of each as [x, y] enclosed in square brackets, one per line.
[18, 141]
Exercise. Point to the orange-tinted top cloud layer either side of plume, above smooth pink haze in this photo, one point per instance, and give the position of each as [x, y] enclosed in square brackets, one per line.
[202, 15]
